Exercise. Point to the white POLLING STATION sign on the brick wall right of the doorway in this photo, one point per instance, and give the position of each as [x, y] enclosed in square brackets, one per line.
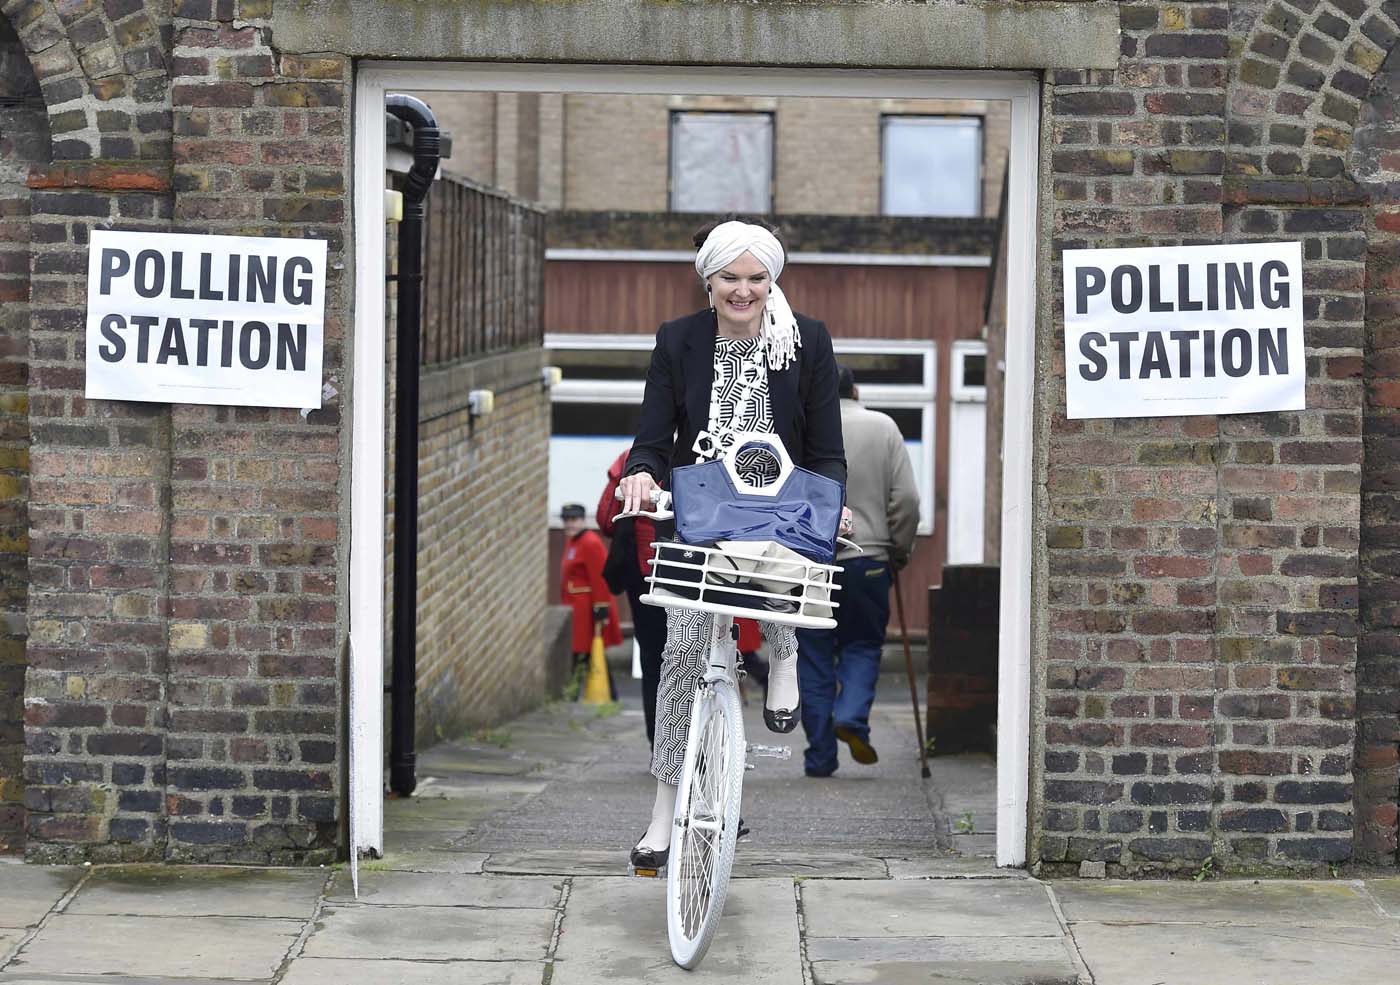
[1178, 331]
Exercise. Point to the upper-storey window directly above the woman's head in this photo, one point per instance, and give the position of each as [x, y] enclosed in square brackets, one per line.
[722, 163]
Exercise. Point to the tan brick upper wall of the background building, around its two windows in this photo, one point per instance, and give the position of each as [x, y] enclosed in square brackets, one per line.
[827, 153]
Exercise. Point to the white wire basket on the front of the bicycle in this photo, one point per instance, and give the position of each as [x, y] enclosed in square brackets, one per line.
[738, 579]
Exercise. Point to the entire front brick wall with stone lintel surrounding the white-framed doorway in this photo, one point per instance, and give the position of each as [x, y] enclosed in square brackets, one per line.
[1217, 671]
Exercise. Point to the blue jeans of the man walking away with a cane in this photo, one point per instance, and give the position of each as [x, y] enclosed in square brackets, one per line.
[838, 669]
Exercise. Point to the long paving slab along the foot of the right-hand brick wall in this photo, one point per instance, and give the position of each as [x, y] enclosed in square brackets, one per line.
[1238, 903]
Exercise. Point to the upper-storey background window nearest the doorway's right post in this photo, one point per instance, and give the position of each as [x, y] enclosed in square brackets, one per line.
[932, 166]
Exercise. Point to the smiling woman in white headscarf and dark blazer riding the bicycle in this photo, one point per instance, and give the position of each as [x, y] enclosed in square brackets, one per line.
[745, 364]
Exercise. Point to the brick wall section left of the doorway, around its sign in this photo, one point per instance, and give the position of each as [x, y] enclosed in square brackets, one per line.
[183, 695]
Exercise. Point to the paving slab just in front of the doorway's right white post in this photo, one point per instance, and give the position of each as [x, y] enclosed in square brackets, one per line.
[912, 909]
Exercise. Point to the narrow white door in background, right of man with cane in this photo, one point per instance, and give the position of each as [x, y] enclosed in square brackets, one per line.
[967, 453]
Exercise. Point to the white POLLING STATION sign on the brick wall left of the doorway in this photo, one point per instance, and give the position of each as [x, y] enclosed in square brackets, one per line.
[181, 318]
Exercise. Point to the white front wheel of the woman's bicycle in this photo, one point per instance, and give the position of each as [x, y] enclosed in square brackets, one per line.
[706, 822]
